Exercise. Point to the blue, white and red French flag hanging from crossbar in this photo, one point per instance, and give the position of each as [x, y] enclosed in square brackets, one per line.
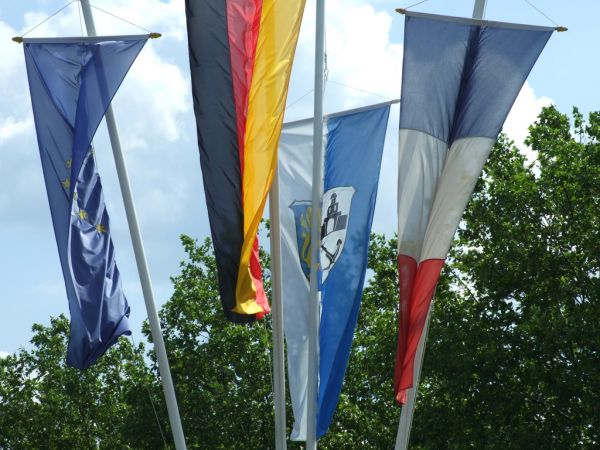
[460, 79]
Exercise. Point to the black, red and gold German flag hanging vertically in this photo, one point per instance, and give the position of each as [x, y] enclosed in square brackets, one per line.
[241, 54]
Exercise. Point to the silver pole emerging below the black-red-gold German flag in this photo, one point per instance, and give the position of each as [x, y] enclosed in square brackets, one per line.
[277, 318]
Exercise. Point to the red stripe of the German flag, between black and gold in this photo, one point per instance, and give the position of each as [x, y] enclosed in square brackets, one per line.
[243, 25]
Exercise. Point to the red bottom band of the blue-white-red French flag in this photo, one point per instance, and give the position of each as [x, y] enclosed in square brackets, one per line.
[417, 286]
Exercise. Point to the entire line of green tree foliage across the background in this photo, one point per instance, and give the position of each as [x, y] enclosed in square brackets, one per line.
[512, 359]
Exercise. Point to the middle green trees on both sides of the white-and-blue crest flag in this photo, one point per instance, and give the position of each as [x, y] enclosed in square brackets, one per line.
[222, 372]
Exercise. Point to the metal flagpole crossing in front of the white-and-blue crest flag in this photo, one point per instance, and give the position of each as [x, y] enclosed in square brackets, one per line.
[314, 307]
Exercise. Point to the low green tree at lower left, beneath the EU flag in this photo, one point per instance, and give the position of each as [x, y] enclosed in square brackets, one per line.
[46, 405]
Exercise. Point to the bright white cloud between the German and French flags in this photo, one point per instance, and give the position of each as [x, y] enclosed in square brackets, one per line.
[363, 64]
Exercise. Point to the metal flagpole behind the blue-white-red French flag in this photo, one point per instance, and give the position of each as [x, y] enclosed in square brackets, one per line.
[406, 415]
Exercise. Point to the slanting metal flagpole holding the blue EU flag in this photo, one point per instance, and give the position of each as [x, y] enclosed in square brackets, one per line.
[140, 257]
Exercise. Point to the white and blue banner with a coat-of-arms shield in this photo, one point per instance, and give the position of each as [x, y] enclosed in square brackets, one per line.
[353, 149]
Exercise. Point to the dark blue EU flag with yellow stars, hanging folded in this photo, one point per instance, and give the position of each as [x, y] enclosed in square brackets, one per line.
[72, 82]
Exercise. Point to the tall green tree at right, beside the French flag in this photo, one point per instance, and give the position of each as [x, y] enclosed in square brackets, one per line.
[513, 354]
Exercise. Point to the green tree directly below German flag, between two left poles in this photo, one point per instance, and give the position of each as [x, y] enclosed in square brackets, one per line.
[222, 372]
